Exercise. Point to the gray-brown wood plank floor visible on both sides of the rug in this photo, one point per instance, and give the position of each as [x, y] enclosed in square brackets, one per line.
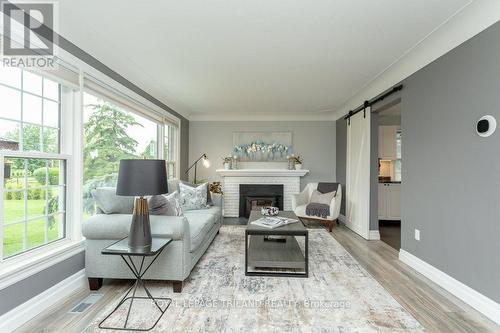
[436, 309]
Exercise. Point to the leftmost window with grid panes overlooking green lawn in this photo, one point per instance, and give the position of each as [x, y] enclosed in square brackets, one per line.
[34, 181]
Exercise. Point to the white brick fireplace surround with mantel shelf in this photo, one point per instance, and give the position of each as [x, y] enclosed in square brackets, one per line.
[231, 180]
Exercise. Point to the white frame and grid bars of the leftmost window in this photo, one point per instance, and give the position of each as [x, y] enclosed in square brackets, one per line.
[29, 260]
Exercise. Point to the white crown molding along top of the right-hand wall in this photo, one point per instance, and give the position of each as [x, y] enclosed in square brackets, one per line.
[464, 24]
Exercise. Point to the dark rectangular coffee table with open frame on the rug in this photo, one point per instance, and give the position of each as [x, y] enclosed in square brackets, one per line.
[284, 257]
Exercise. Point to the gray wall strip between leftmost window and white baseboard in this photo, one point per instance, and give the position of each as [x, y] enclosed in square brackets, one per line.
[26, 289]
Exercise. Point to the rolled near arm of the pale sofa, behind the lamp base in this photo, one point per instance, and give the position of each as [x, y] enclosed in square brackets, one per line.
[117, 226]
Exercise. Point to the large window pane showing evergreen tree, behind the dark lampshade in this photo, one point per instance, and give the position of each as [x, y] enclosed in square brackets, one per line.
[112, 133]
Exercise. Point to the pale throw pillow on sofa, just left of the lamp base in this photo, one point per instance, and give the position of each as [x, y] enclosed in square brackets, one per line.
[110, 203]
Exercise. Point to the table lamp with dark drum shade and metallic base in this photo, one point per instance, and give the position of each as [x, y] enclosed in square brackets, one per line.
[140, 178]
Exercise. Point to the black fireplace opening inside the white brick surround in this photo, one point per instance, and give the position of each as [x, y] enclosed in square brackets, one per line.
[254, 196]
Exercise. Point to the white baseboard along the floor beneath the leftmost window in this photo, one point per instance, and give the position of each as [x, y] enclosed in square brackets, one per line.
[20, 315]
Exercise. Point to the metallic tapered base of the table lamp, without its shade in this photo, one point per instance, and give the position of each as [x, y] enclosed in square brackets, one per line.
[140, 229]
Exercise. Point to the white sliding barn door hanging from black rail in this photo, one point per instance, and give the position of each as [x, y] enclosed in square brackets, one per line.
[358, 173]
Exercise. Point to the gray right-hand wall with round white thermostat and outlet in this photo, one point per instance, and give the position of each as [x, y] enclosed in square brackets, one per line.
[451, 176]
